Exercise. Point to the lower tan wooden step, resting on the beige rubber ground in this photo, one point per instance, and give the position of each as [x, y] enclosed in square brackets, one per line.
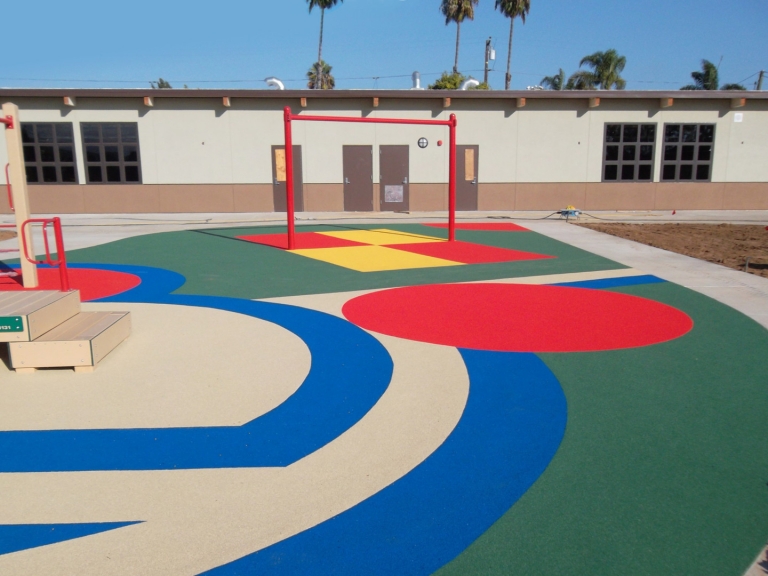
[81, 342]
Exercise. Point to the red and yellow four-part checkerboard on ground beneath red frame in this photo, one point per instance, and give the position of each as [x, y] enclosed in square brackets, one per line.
[383, 250]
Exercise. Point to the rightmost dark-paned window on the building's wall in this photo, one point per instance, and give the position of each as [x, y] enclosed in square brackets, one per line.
[688, 152]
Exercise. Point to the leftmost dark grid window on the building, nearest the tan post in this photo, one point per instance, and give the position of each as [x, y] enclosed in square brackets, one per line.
[49, 153]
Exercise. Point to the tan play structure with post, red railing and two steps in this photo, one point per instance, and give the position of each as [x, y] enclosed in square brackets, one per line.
[46, 328]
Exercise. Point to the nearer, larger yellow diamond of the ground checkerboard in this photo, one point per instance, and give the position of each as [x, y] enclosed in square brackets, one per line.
[373, 258]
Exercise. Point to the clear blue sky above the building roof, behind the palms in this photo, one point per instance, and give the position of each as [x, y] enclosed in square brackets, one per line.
[211, 44]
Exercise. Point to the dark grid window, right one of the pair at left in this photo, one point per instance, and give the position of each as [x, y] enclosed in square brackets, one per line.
[111, 153]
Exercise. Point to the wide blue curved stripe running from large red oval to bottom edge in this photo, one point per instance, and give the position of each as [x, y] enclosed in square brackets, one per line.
[511, 428]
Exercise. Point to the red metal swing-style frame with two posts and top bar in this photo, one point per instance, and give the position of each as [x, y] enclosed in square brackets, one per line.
[290, 117]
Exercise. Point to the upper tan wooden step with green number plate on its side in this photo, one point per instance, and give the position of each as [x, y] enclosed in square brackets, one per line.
[27, 315]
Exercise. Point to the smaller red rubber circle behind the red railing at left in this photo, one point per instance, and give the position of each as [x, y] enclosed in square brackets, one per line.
[92, 283]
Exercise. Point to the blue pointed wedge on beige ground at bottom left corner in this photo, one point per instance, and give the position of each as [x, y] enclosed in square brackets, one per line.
[17, 537]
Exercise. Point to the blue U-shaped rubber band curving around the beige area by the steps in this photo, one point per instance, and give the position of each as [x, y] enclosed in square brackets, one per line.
[350, 371]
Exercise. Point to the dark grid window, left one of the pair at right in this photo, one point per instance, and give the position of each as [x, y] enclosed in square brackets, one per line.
[629, 152]
